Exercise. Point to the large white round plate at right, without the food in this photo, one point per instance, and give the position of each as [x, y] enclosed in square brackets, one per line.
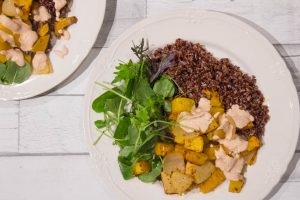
[225, 36]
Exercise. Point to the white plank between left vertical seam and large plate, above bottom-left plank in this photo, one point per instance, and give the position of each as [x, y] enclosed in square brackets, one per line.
[52, 124]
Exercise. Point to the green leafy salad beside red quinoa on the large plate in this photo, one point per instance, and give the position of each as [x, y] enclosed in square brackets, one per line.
[134, 113]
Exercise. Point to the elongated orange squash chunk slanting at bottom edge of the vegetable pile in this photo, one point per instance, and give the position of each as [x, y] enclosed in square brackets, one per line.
[213, 181]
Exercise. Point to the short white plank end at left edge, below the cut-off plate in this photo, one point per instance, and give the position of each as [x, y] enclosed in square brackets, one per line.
[9, 126]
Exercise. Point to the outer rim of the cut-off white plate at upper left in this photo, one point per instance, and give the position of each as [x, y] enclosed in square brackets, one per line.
[37, 92]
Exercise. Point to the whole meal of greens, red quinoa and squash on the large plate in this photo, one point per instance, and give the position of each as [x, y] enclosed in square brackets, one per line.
[182, 116]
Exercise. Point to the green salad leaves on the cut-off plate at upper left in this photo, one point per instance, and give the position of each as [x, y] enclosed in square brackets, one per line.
[11, 73]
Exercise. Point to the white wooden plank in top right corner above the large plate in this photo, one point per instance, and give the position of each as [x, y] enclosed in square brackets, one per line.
[278, 18]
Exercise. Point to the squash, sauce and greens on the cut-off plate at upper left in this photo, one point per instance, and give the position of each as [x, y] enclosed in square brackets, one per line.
[28, 32]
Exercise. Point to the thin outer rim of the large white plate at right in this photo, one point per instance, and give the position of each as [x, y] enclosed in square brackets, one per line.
[132, 29]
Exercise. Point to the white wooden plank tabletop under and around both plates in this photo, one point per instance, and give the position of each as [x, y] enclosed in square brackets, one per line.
[43, 154]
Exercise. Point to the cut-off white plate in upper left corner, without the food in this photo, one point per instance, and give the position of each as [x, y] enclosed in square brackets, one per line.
[90, 14]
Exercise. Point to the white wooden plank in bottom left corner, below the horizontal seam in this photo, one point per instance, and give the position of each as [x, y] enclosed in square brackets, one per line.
[48, 178]
